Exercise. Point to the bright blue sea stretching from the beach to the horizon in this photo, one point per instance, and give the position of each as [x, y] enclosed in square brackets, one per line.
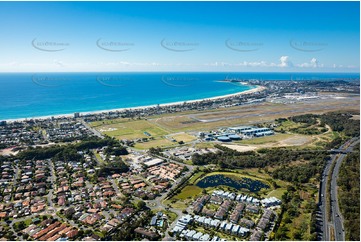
[27, 95]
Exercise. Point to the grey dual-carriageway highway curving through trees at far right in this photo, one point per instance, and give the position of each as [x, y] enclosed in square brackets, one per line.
[336, 217]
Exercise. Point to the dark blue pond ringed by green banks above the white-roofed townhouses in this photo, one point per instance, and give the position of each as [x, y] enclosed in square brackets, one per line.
[222, 180]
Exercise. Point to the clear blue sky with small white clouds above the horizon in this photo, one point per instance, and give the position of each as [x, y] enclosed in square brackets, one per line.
[180, 36]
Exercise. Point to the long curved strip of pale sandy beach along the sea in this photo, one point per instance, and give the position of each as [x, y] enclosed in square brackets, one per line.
[67, 115]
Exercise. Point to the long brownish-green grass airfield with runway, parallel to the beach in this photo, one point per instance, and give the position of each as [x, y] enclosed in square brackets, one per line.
[248, 114]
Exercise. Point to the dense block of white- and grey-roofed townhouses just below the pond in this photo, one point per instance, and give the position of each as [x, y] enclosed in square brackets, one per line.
[228, 218]
